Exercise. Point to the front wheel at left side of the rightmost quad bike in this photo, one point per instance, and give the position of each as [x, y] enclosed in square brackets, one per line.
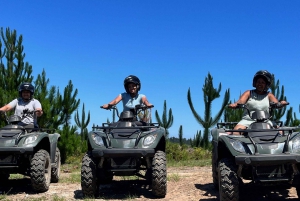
[228, 180]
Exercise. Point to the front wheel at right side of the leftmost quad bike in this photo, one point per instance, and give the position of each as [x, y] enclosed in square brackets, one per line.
[40, 171]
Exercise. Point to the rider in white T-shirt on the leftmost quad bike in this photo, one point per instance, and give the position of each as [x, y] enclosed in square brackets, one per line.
[25, 106]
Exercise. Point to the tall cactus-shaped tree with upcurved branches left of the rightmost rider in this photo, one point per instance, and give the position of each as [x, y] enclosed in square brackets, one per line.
[209, 95]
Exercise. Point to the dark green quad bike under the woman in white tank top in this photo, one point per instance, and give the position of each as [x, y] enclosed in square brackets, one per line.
[262, 153]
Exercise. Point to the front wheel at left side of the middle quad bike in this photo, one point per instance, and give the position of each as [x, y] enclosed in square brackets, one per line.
[89, 183]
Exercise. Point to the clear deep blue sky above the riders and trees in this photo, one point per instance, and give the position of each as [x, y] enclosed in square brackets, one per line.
[170, 45]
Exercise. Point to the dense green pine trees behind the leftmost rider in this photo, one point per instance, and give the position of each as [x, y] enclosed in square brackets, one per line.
[57, 107]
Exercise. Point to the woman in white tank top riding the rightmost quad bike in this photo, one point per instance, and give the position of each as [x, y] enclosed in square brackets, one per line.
[257, 99]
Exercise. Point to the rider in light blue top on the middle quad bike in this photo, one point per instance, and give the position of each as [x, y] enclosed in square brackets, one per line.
[132, 85]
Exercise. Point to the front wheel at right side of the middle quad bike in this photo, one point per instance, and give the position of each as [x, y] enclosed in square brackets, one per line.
[159, 174]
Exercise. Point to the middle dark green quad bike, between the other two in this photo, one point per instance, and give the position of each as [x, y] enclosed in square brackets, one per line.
[125, 148]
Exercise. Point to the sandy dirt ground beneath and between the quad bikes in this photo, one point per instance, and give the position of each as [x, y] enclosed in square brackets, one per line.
[185, 184]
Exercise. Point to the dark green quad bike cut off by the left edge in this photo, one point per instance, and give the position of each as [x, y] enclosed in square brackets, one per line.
[29, 151]
